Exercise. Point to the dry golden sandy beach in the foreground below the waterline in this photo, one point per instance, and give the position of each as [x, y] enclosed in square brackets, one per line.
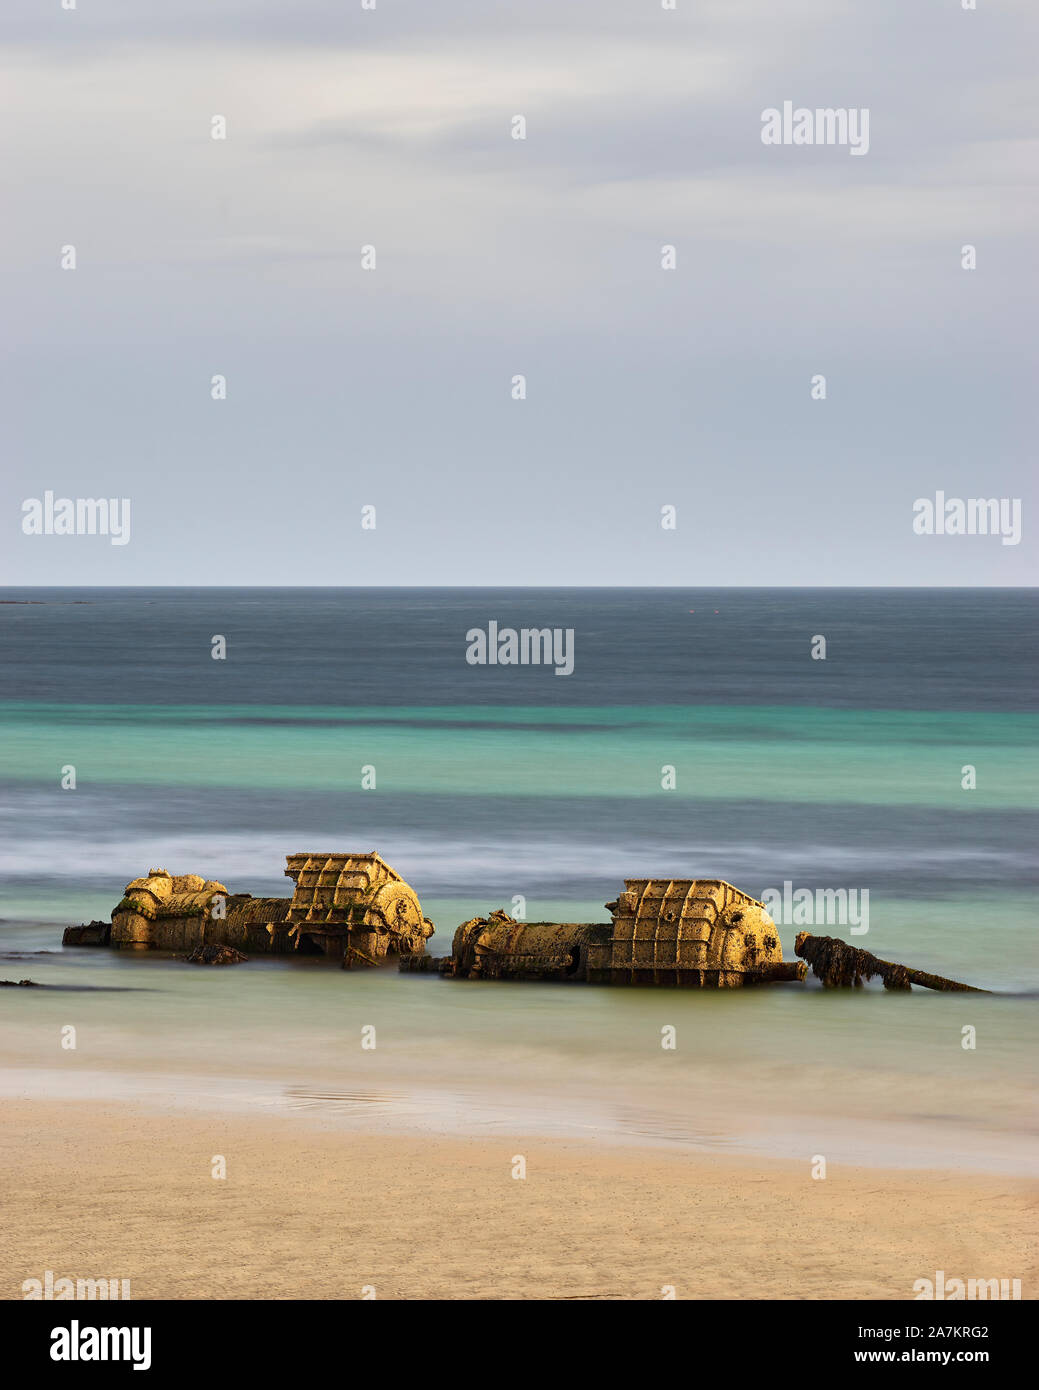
[305, 1211]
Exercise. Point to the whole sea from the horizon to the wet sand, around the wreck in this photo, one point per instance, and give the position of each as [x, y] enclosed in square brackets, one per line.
[878, 742]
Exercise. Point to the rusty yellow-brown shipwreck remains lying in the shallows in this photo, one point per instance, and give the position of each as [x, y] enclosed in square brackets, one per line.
[354, 908]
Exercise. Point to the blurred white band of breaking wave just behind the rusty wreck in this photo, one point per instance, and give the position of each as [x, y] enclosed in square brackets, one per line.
[443, 864]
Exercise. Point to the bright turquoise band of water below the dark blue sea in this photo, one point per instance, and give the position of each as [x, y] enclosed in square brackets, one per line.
[773, 754]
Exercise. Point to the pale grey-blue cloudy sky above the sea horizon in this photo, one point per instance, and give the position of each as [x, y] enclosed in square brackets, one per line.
[393, 389]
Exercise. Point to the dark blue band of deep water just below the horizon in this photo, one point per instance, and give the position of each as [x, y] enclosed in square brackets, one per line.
[905, 650]
